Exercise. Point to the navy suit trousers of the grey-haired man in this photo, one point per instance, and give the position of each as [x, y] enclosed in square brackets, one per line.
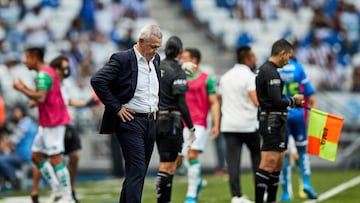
[136, 138]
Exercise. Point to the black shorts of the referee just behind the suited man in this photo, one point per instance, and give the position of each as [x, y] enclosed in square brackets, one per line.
[169, 138]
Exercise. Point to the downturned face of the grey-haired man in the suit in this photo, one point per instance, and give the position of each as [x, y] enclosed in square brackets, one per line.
[150, 47]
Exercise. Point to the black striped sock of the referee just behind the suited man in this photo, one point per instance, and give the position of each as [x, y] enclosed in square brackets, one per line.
[164, 187]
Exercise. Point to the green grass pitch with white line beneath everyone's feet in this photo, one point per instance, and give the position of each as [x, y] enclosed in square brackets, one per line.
[216, 191]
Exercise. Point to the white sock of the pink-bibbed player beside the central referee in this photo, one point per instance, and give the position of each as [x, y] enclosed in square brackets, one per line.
[194, 179]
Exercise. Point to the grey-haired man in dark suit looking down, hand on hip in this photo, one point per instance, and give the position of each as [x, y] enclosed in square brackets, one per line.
[128, 86]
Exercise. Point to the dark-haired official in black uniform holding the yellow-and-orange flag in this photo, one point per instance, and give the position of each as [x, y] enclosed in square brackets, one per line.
[273, 120]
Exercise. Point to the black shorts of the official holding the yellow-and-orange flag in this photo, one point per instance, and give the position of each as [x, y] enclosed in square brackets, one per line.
[273, 129]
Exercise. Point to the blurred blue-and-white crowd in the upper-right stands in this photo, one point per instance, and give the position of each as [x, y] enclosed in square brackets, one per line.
[330, 43]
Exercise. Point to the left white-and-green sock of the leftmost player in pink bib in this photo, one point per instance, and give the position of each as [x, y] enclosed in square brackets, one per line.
[47, 171]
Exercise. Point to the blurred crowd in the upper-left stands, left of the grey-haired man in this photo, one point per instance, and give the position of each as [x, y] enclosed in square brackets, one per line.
[86, 31]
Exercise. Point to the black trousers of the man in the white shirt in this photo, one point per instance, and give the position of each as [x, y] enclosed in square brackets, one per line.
[234, 142]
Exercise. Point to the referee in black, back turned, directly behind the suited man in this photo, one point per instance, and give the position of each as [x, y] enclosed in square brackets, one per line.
[172, 110]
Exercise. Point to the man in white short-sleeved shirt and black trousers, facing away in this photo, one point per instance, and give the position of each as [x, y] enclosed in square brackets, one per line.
[239, 123]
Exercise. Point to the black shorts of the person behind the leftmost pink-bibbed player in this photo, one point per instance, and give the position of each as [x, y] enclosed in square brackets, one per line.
[72, 140]
